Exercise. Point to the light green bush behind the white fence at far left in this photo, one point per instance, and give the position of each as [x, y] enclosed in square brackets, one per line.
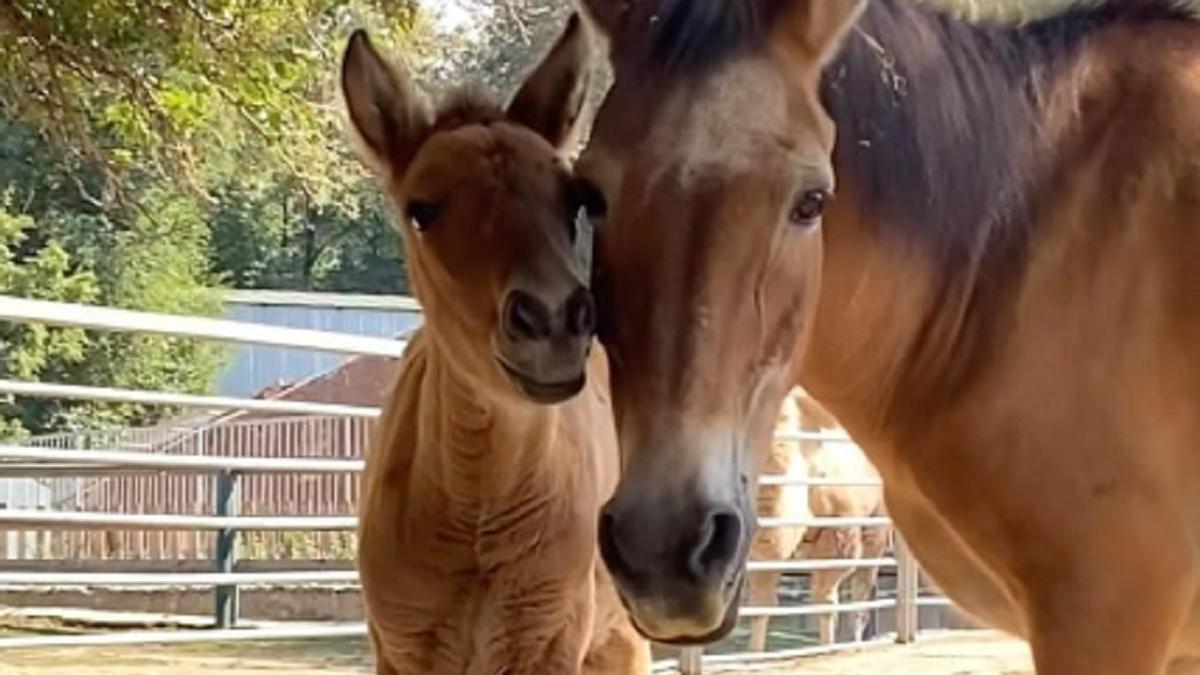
[155, 266]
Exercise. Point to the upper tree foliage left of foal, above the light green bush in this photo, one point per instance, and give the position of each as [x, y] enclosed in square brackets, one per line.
[233, 103]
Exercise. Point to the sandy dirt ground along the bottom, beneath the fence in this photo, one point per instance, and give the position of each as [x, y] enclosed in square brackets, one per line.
[970, 654]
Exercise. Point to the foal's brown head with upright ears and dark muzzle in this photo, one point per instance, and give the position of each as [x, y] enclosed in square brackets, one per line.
[487, 214]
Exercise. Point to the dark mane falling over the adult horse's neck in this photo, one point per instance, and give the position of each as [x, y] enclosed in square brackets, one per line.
[938, 120]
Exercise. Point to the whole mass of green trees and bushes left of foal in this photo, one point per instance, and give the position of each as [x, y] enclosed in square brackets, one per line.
[151, 150]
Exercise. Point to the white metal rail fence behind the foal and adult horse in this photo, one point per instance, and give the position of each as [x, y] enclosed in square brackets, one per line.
[227, 521]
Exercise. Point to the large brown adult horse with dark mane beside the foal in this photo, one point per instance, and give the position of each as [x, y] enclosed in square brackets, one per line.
[1001, 304]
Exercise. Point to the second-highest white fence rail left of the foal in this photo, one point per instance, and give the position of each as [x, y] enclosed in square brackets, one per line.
[75, 392]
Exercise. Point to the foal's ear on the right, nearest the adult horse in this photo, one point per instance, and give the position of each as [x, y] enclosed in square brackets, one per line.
[553, 97]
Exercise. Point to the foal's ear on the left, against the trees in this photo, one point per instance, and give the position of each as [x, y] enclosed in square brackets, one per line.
[388, 112]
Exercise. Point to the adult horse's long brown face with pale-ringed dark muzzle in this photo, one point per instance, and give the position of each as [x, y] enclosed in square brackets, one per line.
[713, 156]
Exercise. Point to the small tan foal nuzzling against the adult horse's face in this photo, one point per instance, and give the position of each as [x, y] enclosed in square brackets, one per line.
[478, 523]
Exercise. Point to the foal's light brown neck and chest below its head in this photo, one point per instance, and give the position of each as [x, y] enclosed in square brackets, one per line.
[478, 529]
